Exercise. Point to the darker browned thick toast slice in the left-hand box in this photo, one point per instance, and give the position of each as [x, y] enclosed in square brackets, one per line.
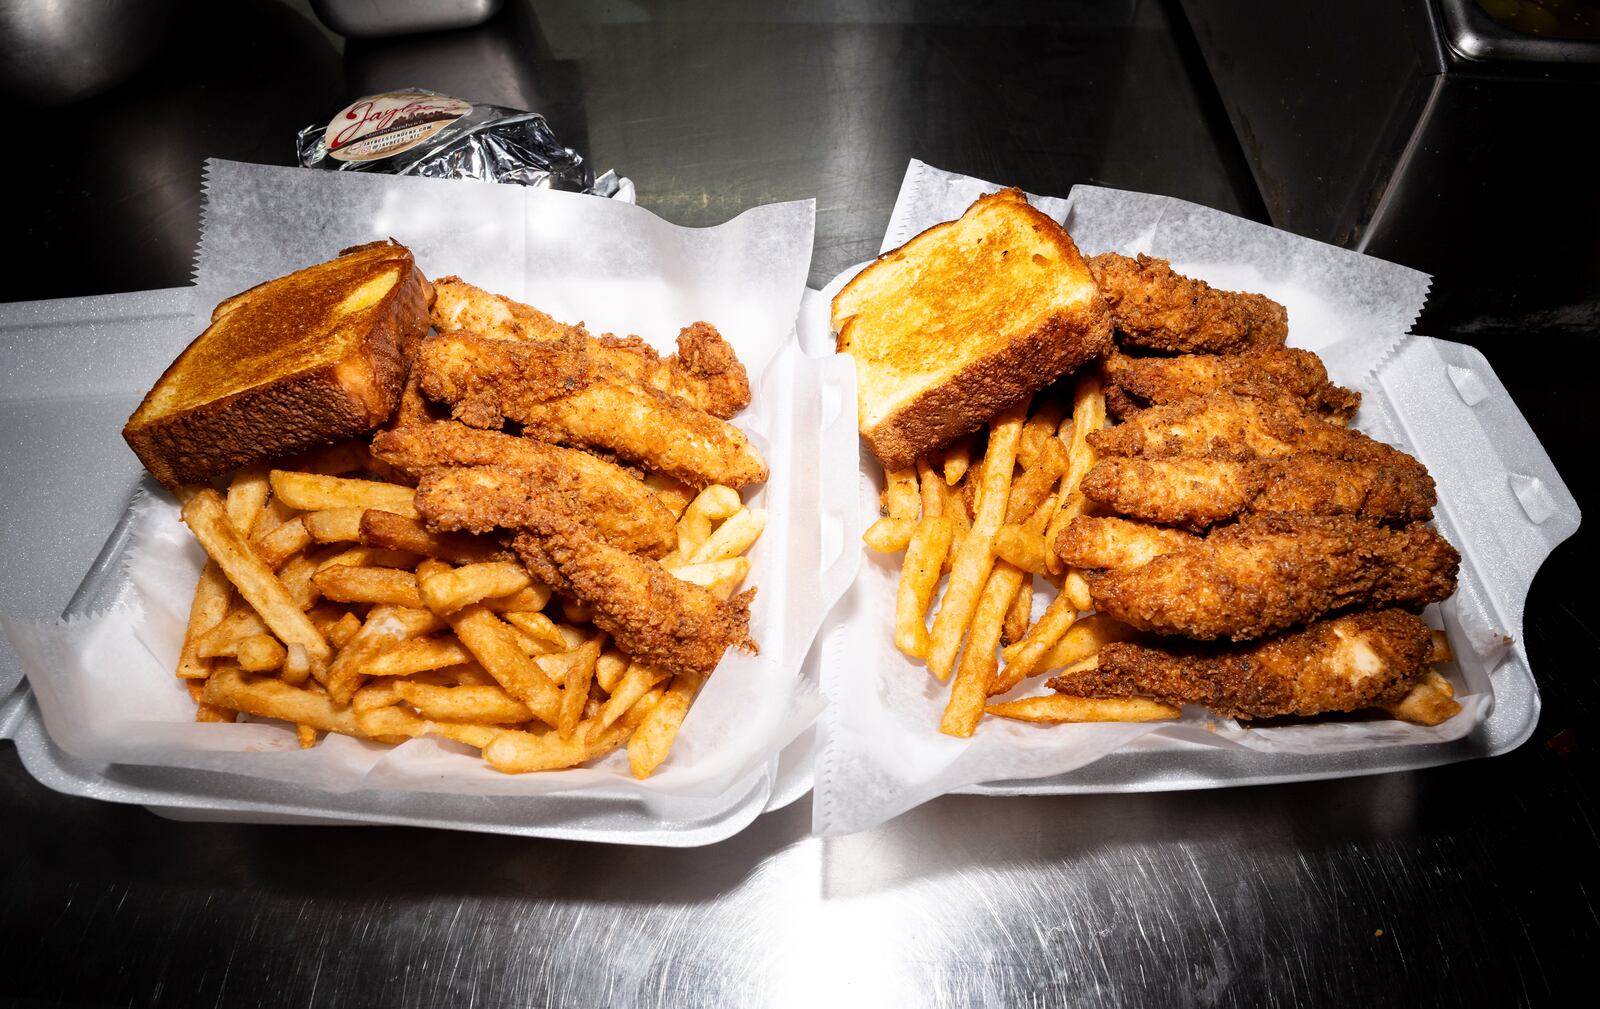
[289, 365]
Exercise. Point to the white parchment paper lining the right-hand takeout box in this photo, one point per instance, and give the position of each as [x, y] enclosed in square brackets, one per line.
[881, 746]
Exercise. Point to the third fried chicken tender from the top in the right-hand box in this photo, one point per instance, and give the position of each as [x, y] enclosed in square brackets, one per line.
[1234, 425]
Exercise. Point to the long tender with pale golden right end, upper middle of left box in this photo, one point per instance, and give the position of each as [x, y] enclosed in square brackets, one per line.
[558, 394]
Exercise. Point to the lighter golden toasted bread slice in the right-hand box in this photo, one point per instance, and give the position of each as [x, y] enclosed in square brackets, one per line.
[967, 319]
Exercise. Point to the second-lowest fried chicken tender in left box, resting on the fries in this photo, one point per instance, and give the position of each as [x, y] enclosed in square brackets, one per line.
[484, 498]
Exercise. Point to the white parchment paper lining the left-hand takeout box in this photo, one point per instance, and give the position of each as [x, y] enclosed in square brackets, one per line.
[105, 682]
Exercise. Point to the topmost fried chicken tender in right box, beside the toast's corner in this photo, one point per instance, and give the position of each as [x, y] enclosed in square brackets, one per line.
[1164, 311]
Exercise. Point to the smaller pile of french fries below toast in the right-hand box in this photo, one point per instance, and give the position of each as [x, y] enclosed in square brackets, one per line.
[990, 525]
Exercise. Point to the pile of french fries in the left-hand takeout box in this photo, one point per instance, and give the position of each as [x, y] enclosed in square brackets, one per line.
[329, 605]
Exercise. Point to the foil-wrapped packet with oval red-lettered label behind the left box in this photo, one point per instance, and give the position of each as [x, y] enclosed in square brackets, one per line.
[438, 137]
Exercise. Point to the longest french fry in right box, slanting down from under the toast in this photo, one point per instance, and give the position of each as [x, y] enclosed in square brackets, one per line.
[972, 567]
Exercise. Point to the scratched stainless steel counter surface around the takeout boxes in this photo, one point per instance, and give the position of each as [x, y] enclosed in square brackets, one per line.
[1471, 885]
